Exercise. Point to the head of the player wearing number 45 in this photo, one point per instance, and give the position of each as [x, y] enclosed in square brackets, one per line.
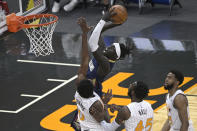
[138, 90]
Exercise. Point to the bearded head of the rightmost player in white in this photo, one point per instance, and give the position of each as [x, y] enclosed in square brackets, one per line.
[173, 79]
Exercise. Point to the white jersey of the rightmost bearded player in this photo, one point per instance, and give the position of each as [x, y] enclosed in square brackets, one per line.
[173, 115]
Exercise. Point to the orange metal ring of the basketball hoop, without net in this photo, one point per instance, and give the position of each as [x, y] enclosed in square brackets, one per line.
[25, 18]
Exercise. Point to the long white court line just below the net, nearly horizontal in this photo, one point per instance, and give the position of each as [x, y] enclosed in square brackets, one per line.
[48, 63]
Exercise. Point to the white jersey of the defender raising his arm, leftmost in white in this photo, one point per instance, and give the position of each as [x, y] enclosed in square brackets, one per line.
[87, 122]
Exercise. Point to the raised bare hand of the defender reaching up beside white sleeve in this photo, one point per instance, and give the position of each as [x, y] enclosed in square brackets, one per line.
[84, 27]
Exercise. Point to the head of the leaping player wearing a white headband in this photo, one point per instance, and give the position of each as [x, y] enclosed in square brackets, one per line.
[116, 51]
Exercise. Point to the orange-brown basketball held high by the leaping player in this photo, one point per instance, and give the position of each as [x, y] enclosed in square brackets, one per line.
[121, 14]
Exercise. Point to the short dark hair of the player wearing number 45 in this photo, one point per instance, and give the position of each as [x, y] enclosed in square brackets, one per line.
[141, 90]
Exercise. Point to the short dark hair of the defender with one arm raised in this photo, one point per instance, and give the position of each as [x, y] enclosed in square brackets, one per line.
[85, 88]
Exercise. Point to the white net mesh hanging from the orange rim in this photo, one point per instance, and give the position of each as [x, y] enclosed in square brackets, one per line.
[41, 36]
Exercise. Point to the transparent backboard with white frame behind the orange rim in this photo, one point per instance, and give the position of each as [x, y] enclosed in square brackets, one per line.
[23, 8]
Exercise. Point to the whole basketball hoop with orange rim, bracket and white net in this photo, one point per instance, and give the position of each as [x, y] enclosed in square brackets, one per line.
[39, 28]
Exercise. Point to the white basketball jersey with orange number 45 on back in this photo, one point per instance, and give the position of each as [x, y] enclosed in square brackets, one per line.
[141, 118]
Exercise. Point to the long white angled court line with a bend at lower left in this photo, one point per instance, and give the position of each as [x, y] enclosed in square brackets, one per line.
[40, 97]
